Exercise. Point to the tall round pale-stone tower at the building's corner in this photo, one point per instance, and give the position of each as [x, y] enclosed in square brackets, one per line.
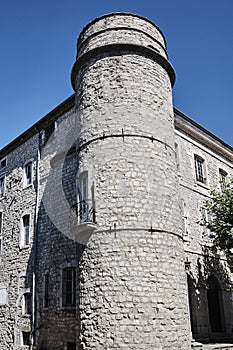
[132, 288]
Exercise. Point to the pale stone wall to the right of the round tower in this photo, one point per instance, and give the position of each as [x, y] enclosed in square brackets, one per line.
[201, 263]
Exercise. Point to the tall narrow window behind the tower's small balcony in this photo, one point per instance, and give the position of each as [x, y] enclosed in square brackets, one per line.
[83, 197]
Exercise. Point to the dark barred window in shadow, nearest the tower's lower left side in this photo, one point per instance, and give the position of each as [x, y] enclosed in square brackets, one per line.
[68, 286]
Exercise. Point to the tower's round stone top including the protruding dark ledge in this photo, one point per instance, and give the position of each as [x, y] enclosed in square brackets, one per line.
[121, 33]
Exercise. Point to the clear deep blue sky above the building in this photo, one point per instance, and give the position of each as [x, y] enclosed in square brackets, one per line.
[38, 49]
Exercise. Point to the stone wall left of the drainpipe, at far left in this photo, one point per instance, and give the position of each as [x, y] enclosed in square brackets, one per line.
[17, 260]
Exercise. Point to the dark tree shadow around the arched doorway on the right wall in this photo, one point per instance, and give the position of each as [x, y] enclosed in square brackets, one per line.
[210, 299]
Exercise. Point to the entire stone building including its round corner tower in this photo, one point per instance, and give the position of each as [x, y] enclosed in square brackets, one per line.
[100, 245]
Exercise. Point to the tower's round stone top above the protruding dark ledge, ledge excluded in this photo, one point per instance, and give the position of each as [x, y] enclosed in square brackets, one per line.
[121, 28]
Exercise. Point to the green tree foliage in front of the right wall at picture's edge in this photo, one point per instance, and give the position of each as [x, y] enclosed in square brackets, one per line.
[220, 218]
